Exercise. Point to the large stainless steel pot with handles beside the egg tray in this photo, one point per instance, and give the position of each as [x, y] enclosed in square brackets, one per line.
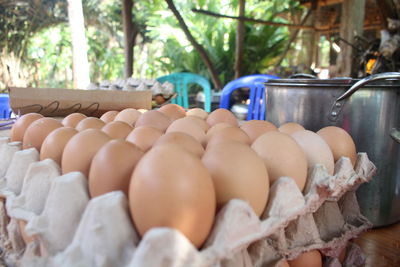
[369, 110]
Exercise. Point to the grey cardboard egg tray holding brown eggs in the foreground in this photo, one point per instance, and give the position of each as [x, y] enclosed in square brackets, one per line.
[64, 227]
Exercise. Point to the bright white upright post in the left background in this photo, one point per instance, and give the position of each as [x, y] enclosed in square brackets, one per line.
[80, 63]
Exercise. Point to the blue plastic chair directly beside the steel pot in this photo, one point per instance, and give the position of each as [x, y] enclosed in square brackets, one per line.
[256, 108]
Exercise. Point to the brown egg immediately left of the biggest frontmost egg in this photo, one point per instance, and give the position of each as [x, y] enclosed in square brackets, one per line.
[112, 166]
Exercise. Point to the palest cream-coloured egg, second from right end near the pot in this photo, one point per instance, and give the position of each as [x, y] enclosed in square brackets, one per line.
[316, 149]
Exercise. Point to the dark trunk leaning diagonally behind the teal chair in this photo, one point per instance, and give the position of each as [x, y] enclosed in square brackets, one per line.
[203, 54]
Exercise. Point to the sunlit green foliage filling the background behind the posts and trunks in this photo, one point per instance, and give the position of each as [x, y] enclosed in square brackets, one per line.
[37, 32]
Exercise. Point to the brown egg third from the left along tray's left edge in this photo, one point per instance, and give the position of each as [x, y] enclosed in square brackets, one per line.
[53, 145]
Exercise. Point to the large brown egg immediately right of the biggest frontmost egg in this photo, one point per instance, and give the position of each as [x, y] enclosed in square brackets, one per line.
[237, 172]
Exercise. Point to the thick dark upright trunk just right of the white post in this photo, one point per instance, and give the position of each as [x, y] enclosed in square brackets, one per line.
[130, 34]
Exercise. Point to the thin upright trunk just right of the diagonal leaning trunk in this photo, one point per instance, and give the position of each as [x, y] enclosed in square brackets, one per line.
[240, 40]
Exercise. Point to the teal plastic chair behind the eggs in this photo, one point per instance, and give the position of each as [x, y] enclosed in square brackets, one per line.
[181, 80]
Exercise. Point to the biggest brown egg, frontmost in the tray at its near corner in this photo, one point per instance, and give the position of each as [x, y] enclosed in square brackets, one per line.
[175, 186]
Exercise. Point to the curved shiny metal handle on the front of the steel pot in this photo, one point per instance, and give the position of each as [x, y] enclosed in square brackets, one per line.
[338, 105]
